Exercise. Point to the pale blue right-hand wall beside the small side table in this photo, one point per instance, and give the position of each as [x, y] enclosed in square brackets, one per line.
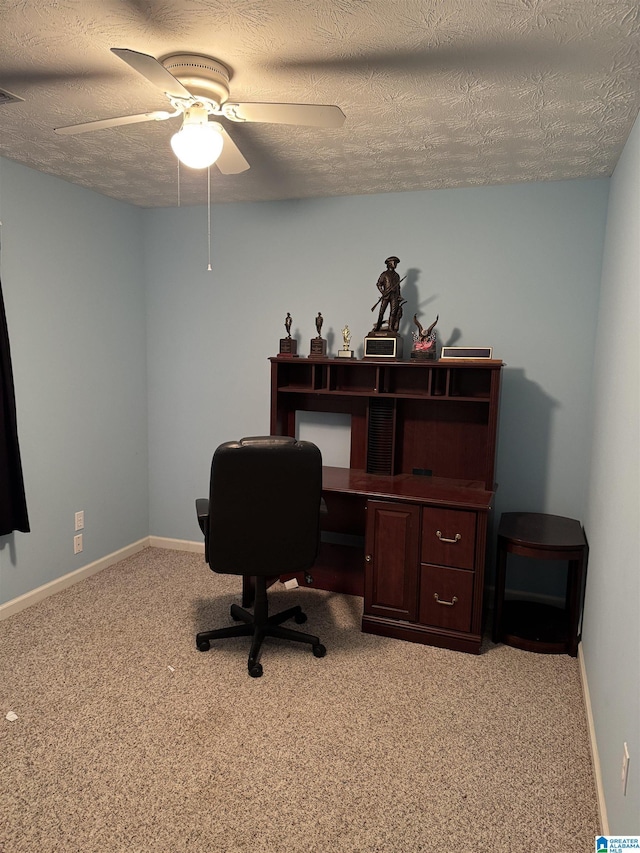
[611, 639]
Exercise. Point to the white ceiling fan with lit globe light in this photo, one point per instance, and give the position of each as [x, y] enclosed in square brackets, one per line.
[197, 87]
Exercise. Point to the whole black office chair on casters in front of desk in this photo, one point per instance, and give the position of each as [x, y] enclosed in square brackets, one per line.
[262, 519]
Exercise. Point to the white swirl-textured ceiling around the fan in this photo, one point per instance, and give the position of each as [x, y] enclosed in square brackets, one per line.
[437, 93]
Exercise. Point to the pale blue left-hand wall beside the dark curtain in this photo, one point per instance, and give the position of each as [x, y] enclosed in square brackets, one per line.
[71, 269]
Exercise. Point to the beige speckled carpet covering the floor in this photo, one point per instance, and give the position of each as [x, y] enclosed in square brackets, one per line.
[129, 739]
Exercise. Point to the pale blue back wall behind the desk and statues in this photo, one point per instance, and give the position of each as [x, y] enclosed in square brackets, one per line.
[515, 267]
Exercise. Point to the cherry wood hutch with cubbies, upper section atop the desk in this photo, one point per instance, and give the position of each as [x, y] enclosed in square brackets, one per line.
[406, 416]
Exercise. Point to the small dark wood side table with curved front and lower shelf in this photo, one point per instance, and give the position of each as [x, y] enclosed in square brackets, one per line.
[530, 625]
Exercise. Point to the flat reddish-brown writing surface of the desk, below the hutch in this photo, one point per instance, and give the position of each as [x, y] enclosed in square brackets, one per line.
[467, 494]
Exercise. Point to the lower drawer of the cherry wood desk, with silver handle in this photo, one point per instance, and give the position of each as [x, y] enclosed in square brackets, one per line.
[446, 597]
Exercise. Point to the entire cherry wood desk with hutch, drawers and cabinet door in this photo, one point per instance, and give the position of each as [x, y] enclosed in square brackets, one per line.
[406, 523]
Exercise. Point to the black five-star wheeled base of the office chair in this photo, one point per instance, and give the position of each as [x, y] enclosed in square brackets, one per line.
[259, 625]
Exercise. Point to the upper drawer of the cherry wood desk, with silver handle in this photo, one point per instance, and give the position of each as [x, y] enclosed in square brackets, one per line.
[448, 537]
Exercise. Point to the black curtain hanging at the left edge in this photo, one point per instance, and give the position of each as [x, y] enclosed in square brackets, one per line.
[13, 504]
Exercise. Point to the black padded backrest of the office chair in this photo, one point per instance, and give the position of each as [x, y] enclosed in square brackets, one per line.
[264, 506]
